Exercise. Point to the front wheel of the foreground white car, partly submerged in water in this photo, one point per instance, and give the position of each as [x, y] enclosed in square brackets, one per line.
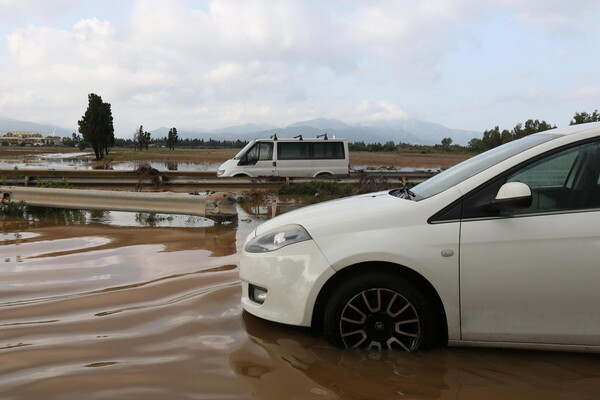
[379, 311]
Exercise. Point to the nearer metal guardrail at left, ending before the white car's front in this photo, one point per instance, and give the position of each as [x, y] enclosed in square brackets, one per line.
[219, 206]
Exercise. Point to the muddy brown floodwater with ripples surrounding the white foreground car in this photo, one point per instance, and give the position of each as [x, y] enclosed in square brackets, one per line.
[110, 308]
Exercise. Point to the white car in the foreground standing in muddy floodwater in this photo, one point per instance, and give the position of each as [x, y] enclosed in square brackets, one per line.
[501, 250]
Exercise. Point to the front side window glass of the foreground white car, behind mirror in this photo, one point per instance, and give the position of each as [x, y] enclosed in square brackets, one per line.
[567, 180]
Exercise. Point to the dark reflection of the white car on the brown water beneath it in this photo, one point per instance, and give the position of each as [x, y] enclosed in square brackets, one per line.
[288, 363]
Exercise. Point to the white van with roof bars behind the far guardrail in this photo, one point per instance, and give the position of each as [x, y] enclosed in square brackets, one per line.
[298, 157]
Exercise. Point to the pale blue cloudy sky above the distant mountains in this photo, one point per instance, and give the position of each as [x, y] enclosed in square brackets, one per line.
[469, 64]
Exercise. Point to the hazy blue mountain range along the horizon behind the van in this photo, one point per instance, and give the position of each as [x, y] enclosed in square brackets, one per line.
[405, 130]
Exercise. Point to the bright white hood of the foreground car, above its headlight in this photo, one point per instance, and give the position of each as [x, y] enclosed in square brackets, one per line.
[323, 215]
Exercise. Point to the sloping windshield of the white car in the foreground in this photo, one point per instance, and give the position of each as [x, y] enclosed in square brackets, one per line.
[471, 167]
